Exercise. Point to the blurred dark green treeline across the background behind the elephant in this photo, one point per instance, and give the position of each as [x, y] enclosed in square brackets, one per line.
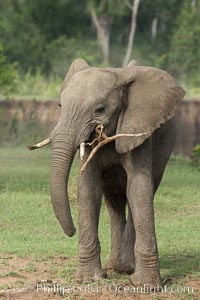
[47, 35]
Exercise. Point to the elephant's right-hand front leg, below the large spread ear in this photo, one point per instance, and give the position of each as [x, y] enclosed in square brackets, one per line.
[140, 197]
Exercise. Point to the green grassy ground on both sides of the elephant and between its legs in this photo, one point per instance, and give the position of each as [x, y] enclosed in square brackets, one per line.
[33, 246]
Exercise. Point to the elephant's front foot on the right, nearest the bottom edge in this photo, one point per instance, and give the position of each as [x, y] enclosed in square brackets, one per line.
[150, 281]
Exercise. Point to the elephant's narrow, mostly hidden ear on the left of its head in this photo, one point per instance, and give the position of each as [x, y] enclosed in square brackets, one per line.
[77, 65]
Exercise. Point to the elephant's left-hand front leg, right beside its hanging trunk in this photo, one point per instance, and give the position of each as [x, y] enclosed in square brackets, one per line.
[89, 202]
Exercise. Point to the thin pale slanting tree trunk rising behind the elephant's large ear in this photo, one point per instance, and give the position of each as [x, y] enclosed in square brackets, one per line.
[132, 32]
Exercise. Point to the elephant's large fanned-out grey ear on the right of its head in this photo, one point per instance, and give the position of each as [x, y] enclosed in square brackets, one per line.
[152, 98]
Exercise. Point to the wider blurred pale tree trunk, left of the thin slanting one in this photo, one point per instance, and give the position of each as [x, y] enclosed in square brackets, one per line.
[102, 25]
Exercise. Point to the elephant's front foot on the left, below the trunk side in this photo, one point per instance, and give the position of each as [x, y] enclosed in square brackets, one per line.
[90, 275]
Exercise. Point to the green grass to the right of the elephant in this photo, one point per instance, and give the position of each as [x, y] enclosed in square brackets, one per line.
[177, 209]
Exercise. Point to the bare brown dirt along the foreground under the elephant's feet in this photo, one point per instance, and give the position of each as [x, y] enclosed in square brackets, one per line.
[25, 279]
